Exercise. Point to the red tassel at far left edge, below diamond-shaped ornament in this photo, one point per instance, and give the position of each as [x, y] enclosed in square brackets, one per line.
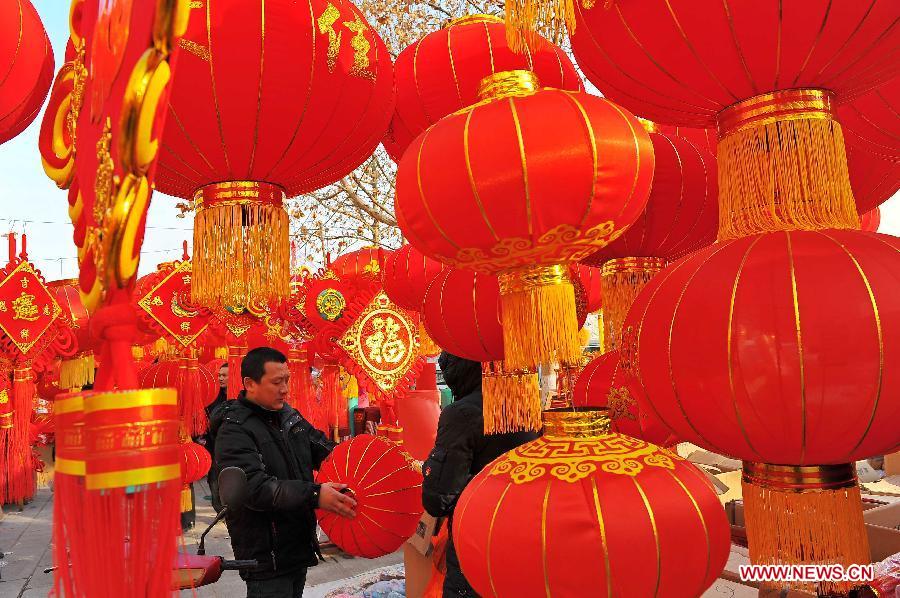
[18, 461]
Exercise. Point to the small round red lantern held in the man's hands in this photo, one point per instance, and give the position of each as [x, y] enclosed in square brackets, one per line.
[388, 493]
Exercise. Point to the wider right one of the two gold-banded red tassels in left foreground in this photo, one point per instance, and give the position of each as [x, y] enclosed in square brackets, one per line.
[133, 483]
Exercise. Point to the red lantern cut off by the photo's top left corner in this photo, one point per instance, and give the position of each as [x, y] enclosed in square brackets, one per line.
[26, 64]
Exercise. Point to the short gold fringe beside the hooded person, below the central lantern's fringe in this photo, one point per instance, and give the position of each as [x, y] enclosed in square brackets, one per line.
[512, 400]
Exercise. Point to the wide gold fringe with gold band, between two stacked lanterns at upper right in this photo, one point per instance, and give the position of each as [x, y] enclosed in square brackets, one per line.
[783, 165]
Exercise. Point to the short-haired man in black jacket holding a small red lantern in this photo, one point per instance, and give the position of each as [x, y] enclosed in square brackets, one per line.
[278, 450]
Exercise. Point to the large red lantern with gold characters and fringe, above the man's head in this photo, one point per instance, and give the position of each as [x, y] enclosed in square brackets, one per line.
[271, 99]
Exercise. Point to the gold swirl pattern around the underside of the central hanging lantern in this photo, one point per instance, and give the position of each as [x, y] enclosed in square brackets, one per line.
[564, 243]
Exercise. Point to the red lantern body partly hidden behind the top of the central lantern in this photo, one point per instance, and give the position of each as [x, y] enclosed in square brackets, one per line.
[440, 73]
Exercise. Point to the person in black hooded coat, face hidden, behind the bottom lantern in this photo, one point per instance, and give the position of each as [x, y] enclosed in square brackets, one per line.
[461, 450]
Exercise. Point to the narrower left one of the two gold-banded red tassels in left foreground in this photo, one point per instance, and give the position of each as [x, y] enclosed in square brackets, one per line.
[70, 542]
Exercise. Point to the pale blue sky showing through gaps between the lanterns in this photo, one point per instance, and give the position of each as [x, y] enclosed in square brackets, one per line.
[29, 201]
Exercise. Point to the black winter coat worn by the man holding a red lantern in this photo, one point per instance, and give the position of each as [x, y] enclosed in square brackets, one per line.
[278, 451]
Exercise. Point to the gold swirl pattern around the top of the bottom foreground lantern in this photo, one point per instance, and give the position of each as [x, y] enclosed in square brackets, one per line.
[574, 460]
